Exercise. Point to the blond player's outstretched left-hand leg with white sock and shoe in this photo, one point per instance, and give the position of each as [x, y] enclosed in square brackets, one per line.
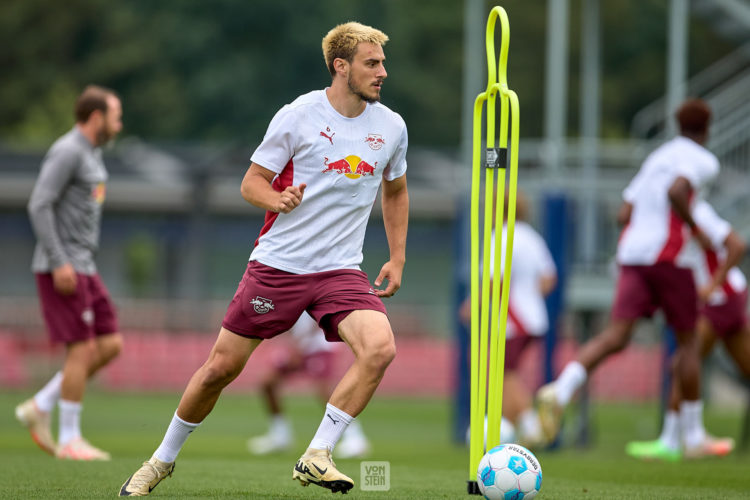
[225, 361]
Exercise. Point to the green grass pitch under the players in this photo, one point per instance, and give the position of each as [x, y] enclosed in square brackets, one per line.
[412, 434]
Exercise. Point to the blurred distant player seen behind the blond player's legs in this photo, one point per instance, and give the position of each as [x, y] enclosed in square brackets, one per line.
[308, 354]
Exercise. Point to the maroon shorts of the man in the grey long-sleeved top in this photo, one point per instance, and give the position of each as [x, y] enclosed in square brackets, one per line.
[86, 313]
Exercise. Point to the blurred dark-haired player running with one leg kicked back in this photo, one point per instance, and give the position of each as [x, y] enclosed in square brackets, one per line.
[653, 273]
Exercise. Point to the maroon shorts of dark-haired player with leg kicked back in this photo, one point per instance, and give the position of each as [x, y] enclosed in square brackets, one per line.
[642, 290]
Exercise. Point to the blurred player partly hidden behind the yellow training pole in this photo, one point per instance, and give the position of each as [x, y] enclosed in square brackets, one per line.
[533, 277]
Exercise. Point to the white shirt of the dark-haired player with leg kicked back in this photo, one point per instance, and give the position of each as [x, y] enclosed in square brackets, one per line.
[655, 232]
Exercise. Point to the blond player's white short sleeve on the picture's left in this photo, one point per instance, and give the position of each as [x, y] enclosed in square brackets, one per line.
[278, 145]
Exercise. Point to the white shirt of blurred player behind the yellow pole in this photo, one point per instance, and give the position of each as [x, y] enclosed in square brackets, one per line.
[531, 262]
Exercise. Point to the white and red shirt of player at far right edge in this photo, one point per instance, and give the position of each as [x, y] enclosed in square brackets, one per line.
[705, 262]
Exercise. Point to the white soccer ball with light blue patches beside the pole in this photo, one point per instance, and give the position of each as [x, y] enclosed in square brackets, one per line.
[509, 472]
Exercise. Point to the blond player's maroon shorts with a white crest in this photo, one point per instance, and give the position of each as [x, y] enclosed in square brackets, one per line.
[269, 301]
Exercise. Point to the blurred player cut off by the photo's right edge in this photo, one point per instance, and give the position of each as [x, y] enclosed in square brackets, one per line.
[722, 290]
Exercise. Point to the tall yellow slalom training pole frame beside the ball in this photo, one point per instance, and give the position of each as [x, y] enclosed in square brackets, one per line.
[489, 309]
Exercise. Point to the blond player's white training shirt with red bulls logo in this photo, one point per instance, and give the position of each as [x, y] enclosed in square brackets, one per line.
[343, 161]
